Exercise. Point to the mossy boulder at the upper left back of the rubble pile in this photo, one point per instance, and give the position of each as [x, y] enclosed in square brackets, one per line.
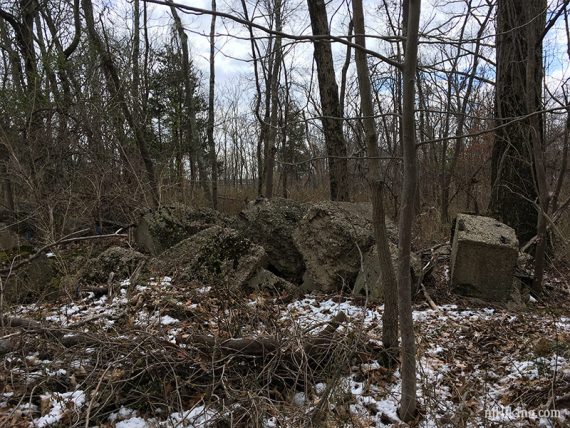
[160, 229]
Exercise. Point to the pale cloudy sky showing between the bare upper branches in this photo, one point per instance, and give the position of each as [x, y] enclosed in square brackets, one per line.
[233, 51]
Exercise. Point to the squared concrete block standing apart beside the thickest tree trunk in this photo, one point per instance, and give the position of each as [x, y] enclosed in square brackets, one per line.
[483, 258]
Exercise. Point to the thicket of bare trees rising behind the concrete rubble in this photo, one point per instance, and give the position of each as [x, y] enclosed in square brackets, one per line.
[103, 111]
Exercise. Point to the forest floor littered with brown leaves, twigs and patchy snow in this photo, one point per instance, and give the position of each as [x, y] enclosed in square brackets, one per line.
[129, 357]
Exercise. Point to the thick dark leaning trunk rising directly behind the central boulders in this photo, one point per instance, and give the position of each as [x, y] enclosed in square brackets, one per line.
[330, 105]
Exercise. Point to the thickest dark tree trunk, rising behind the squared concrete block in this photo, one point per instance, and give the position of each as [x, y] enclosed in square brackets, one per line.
[514, 190]
